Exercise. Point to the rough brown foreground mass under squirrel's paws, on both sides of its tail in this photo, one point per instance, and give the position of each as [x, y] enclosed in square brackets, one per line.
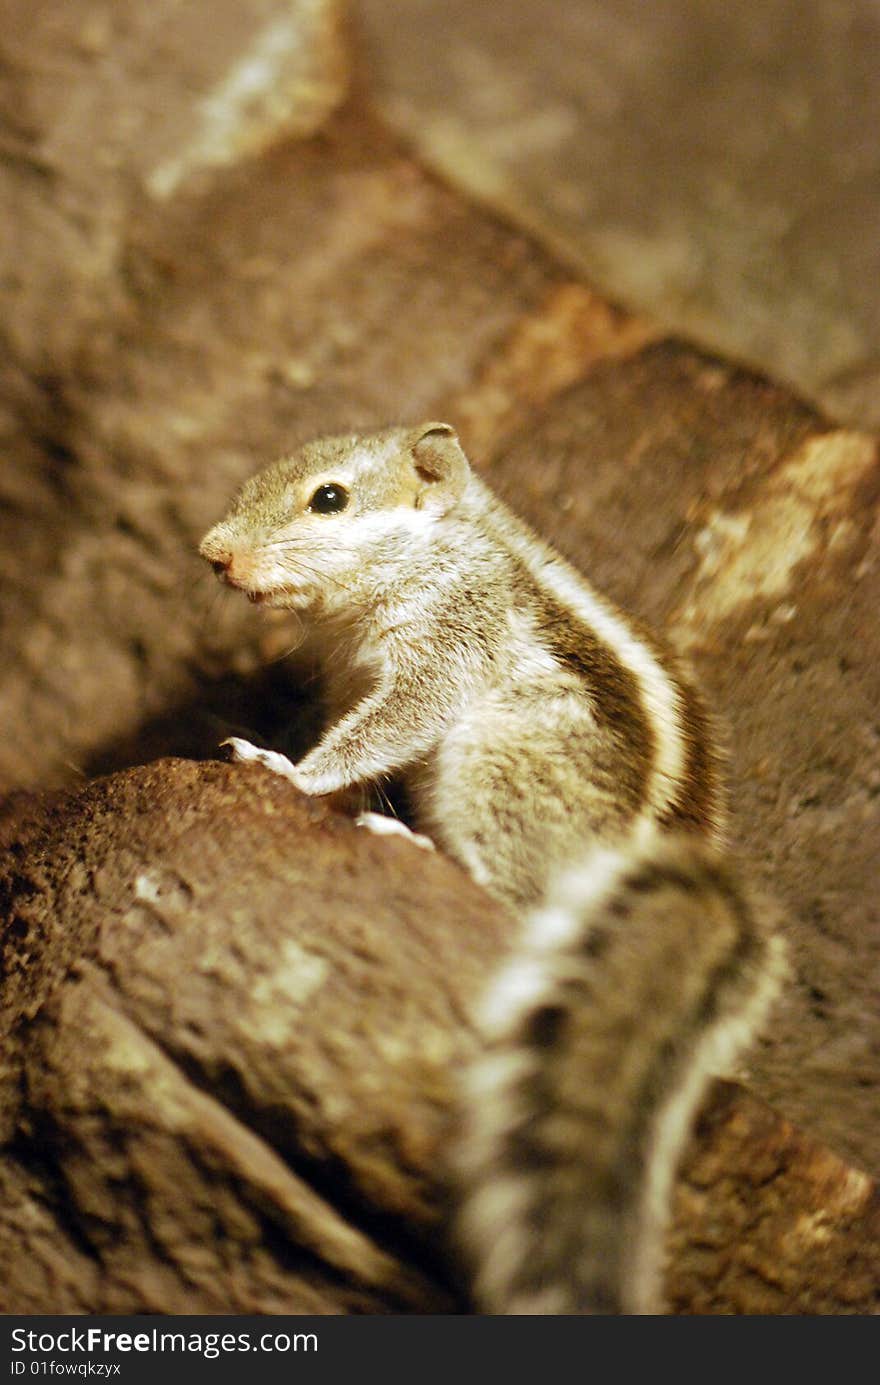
[232, 1024]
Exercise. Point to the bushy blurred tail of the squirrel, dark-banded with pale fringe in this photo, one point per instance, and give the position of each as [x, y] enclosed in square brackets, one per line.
[645, 974]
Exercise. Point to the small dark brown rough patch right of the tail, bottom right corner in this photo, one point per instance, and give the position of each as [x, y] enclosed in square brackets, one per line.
[768, 1221]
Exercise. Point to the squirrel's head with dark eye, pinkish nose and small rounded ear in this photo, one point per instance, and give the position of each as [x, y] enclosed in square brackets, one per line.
[329, 519]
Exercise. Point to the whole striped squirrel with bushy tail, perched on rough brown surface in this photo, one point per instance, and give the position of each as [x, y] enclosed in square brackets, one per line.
[549, 746]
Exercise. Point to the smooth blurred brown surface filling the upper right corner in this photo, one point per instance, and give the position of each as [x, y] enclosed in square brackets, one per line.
[717, 166]
